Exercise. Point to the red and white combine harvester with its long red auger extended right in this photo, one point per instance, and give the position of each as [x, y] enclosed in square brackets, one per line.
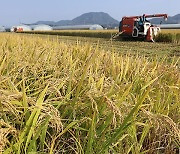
[138, 27]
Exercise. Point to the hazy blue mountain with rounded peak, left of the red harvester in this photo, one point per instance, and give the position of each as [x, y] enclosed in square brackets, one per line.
[100, 18]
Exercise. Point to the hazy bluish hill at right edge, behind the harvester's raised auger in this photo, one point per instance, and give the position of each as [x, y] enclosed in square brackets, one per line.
[171, 20]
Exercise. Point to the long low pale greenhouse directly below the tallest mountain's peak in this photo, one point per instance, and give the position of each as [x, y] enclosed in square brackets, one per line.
[78, 27]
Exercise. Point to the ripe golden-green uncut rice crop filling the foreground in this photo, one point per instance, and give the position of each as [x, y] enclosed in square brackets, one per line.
[63, 97]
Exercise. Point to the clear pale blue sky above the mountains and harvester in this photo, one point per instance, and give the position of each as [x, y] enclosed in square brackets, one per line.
[21, 11]
